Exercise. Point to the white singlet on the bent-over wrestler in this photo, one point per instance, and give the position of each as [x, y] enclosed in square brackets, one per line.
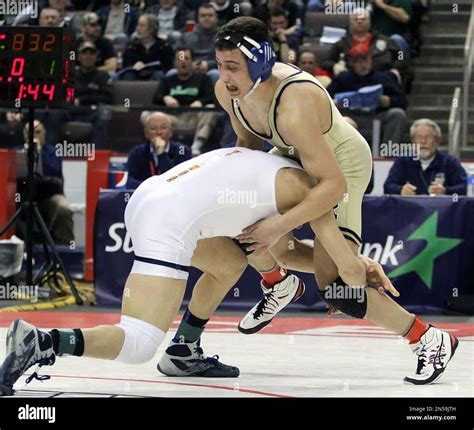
[216, 194]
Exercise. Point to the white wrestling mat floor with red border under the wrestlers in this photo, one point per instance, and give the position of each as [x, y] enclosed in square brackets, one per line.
[298, 355]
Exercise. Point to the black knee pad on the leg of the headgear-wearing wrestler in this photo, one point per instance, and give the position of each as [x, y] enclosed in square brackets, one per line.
[351, 301]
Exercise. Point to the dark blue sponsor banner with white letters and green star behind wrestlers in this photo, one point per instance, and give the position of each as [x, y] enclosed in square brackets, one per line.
[426, 245]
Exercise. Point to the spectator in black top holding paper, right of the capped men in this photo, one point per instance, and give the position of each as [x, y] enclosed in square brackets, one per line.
[145, 49]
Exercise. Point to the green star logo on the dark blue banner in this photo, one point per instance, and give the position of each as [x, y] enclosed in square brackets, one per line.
[423, 263]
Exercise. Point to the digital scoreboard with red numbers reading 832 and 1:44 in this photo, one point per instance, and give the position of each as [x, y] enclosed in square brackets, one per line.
[36, 67]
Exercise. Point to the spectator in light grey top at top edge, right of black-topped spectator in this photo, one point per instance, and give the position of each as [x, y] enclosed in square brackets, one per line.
[172, 19]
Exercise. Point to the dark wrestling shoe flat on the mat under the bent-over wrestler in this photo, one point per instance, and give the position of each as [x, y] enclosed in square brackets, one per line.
[188, 359]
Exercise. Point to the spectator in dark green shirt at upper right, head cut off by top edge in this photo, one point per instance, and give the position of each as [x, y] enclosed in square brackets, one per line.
[391, 17]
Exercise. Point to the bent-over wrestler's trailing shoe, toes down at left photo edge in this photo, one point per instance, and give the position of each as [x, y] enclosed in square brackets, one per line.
[26, 346]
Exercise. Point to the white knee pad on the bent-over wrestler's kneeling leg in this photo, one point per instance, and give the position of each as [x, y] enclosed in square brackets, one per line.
[141, 340]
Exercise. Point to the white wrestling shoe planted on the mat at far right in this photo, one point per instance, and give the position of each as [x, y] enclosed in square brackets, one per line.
[434, 349]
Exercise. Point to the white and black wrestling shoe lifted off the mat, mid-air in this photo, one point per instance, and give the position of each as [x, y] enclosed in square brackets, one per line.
[274, 299]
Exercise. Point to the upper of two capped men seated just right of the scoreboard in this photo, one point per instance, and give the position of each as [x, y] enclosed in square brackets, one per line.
[106, 58]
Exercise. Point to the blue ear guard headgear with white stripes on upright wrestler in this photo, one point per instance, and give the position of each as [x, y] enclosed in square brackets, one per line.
[260, 56]
